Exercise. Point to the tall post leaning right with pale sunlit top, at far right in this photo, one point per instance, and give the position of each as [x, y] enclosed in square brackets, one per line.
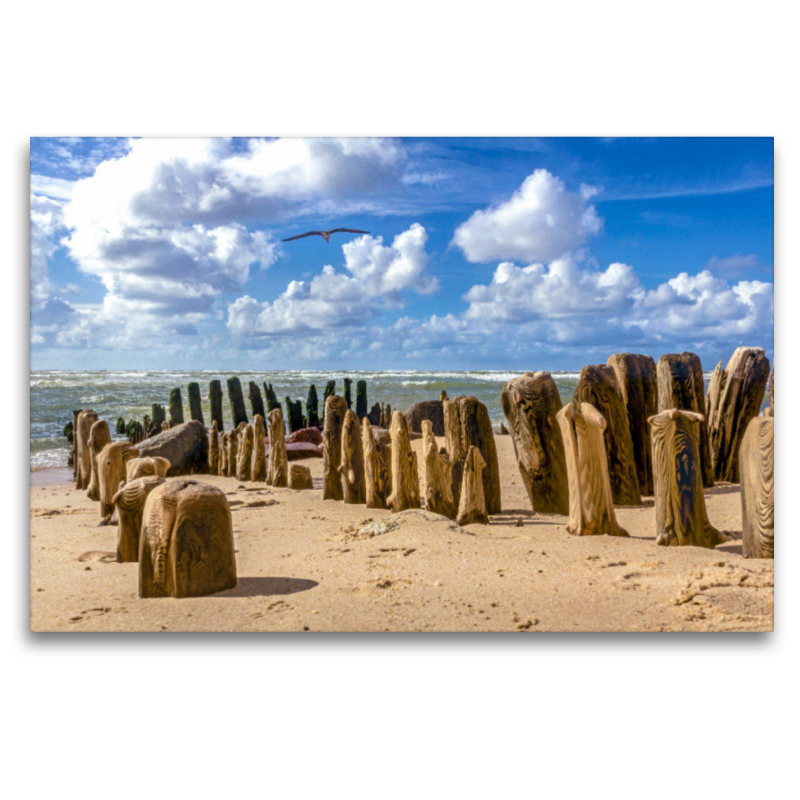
[741, 390]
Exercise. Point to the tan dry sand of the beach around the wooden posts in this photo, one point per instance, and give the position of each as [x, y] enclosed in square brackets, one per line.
[308, 564]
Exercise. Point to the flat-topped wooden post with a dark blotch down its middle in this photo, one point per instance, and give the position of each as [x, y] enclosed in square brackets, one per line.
[681, 517]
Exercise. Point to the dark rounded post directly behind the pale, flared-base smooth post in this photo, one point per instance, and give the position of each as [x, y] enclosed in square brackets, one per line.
[598, 387]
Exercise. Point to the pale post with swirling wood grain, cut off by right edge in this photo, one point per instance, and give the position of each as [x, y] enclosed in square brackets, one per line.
[757, 474]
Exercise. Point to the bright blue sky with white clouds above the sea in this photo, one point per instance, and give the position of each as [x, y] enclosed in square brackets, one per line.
[508, 254]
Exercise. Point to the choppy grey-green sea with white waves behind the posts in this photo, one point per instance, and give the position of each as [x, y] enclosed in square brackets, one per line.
[114, 394]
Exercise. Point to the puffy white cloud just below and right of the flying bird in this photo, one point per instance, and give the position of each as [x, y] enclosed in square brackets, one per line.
[375, 278]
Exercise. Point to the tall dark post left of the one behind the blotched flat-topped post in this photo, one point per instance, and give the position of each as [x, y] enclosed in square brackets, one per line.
[638, 385]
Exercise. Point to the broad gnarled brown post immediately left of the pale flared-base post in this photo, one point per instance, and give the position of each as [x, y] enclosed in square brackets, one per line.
[531, 404]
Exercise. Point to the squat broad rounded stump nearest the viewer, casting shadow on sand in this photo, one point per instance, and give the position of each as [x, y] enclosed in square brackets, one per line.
[186, 547]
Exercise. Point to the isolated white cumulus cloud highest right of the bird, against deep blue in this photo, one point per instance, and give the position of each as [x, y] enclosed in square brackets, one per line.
[540, 222]
